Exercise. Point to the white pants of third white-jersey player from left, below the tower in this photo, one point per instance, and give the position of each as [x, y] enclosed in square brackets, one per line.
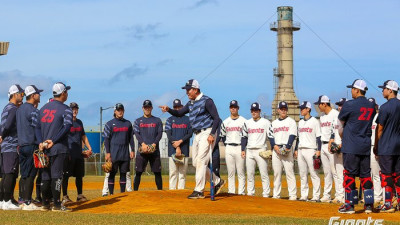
[286, 162]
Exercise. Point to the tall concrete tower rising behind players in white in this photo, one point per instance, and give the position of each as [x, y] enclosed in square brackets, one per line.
[283, 75]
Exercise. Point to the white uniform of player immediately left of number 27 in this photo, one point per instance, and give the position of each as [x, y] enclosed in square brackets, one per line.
[328, 129]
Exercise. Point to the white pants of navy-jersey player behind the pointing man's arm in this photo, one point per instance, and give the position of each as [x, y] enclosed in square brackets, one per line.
[177, 173]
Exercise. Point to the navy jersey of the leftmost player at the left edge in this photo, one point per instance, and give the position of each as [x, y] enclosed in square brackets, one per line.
[8, 128]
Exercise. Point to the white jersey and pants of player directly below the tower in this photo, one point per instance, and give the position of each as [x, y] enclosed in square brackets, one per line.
[282, 129]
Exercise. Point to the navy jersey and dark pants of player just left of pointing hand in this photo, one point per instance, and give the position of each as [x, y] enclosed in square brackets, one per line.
[148, 131]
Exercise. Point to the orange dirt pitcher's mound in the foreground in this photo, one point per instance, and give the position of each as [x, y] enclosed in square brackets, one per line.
[175, 202]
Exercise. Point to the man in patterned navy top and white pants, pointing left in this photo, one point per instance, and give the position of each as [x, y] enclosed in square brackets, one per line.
[204, 119]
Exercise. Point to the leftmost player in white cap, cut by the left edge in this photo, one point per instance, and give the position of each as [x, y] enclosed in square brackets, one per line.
[9, 142]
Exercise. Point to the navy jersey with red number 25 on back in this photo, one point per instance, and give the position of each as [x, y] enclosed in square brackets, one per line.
[55, 120]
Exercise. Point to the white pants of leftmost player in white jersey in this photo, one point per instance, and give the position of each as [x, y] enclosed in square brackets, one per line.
[235, 162]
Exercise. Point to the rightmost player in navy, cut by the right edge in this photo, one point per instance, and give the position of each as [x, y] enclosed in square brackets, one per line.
[387, 143]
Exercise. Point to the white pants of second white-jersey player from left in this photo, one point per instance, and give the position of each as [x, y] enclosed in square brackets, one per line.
[253, 158]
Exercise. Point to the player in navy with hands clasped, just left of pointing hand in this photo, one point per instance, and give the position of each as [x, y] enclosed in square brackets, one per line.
[148, 131]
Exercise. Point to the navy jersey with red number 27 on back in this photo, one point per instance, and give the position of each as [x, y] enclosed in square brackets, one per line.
[357, 115]
